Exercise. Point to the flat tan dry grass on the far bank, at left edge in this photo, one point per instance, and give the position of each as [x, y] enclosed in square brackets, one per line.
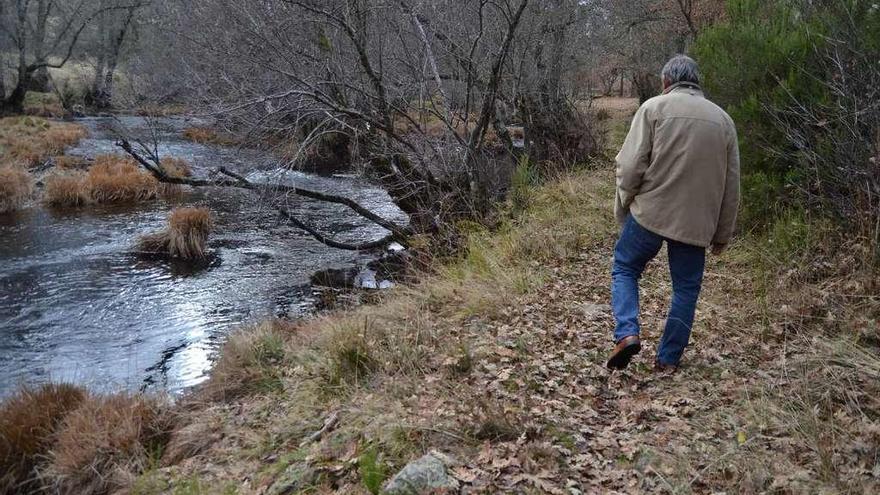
[30, 140]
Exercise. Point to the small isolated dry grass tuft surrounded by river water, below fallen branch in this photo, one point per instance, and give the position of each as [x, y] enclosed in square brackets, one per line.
[186, 236]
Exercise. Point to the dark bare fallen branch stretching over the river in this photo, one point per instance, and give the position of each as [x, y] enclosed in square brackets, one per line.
[227, 178]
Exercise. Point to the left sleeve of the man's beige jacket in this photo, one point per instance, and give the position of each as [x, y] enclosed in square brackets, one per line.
[632, 162]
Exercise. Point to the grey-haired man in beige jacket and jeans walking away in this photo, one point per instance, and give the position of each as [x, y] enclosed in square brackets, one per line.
[678, 183]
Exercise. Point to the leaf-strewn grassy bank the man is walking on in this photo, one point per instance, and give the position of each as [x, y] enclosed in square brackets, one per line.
[497, 359]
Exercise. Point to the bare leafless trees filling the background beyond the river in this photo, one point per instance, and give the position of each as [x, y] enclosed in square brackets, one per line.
[437, 100]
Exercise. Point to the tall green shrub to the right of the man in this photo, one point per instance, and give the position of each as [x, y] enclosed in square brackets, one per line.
[790, 72]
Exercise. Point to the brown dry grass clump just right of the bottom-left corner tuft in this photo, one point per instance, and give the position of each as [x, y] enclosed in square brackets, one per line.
[105, 443]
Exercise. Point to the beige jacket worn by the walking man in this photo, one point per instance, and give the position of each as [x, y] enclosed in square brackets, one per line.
[678, 171]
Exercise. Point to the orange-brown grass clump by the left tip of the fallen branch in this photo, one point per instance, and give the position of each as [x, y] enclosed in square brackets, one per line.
[117, 179]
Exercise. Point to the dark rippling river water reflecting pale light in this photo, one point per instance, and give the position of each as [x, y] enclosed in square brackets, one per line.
[77, 305]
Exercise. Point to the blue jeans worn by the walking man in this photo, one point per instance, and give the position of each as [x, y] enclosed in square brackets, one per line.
[636, 247]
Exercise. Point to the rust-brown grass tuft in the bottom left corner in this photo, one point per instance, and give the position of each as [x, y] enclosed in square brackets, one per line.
[28, 421]
